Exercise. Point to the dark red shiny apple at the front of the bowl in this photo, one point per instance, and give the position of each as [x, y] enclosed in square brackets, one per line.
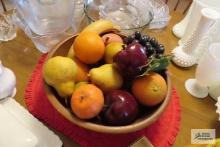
[121, 108]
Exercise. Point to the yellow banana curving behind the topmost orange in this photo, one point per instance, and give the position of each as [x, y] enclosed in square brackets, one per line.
[101, 26]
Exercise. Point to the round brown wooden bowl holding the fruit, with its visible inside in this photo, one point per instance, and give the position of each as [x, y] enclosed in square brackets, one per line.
[62, 49]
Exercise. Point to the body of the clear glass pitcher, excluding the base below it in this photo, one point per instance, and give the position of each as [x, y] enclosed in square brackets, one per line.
[46, 16]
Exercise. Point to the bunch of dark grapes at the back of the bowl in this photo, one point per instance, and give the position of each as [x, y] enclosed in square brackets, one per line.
[150, 44]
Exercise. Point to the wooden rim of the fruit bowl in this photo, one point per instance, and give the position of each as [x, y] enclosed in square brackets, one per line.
[137, 125]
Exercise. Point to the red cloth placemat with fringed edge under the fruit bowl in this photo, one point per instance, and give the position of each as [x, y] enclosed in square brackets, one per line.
[162, 133]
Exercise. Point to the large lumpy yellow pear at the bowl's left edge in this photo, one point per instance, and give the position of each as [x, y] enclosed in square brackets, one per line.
[59, 72]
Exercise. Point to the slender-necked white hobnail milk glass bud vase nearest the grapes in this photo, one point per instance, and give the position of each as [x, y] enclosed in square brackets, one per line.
[184, 55]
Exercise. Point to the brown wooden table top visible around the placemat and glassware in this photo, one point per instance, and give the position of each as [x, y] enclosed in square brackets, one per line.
[21, 56]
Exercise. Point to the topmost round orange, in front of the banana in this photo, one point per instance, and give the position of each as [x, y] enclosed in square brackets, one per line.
[89, 47]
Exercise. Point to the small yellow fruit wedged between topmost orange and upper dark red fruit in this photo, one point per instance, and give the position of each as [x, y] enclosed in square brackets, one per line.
[111, 50]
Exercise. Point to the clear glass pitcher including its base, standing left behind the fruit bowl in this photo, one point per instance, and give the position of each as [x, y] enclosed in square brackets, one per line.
[45, 22]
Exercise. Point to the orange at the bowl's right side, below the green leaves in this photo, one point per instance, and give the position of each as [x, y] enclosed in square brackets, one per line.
[150, 89]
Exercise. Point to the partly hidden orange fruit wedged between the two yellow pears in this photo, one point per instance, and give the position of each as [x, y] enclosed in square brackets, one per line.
[82, 71]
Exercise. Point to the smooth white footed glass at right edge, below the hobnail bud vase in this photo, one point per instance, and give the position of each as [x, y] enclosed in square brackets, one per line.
[207, 73]
